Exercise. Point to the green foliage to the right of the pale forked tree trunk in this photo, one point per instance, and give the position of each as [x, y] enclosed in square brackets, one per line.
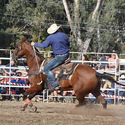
[111, 27]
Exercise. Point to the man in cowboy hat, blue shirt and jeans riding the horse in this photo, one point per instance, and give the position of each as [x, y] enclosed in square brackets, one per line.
[60, 44]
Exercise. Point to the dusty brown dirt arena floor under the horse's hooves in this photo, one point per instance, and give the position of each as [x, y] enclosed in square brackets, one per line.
[61, 114]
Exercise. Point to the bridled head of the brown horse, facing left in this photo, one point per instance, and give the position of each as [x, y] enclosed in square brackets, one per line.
[20, 50]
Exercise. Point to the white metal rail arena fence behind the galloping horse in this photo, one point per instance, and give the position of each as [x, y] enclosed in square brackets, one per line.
[77, 57]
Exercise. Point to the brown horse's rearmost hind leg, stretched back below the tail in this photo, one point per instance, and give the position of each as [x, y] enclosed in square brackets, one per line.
[98, 95]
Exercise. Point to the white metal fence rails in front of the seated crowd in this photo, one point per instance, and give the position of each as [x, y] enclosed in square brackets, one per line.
[45, 94]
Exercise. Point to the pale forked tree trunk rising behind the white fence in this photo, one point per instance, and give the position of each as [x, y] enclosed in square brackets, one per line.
[82, 46]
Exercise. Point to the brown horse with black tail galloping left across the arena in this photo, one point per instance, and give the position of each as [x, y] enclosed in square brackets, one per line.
[84, 79]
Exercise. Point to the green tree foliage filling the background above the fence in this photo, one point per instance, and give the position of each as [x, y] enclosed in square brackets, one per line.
[34, 16]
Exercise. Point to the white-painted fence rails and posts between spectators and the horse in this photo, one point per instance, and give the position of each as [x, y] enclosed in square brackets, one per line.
[73, 55]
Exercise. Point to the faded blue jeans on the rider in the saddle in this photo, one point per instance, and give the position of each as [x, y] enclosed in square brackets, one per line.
[57, 60]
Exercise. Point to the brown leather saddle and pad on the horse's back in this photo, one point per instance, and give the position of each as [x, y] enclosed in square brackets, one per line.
[63, 70]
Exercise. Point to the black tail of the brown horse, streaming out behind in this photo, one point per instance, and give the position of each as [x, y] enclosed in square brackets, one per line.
[107, 77]
